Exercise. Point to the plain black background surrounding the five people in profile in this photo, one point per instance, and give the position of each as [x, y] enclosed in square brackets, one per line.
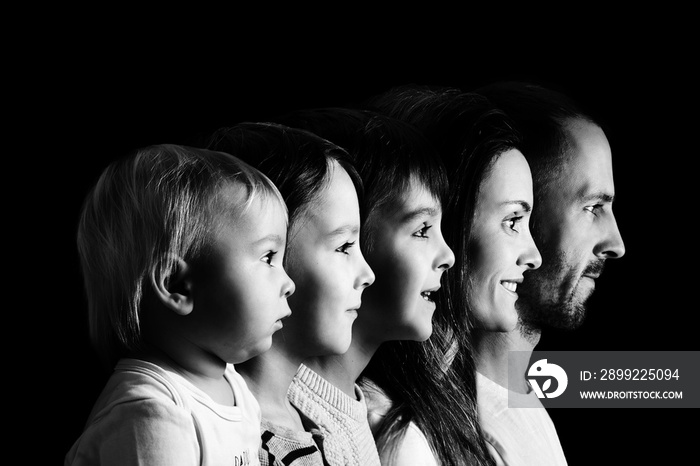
[83, 102]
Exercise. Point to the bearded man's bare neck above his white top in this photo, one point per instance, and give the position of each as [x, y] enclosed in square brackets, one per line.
[492, 350]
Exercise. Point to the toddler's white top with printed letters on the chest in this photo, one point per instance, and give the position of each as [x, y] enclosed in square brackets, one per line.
[149, 415]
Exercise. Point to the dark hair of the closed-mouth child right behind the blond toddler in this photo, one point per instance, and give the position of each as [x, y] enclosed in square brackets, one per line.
[297, 161]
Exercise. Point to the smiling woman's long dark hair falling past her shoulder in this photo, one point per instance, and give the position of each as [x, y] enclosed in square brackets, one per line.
[470, 134]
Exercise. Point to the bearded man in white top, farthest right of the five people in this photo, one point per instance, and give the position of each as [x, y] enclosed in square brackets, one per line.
[575, 231]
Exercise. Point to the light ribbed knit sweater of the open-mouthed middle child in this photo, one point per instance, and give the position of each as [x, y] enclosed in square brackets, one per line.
[342, 420]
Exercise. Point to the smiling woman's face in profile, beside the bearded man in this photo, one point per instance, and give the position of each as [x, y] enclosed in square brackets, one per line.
[501, 248]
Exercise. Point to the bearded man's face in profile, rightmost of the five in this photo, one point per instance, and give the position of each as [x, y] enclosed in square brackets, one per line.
[577, 232]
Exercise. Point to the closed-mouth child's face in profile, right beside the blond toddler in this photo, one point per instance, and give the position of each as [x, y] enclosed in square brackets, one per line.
[325, 262]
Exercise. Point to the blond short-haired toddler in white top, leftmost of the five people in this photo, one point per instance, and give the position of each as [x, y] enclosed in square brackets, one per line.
[181, 251]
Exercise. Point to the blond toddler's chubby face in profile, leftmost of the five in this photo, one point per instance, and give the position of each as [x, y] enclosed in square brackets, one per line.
[240, 288]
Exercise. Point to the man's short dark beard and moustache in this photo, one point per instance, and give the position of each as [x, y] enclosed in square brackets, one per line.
[550, 296]
